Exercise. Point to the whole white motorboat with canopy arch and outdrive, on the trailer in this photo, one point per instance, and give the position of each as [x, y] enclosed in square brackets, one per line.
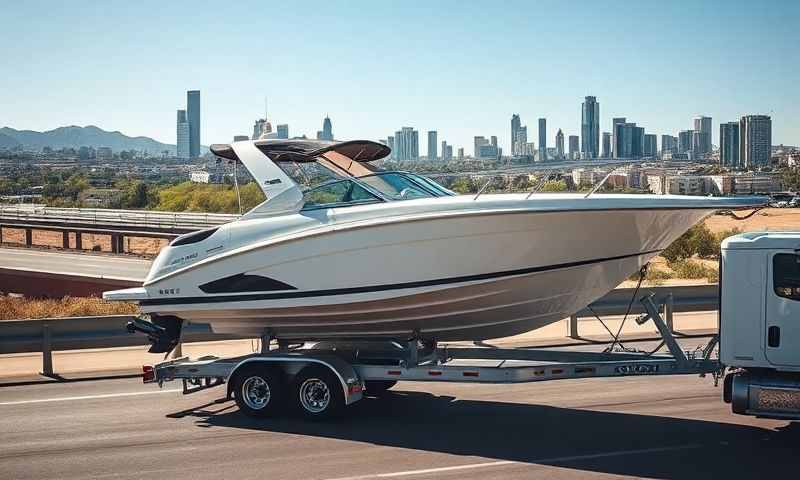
[393, 255]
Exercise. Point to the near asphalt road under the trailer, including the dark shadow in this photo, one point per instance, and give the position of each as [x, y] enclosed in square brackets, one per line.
[667, 428]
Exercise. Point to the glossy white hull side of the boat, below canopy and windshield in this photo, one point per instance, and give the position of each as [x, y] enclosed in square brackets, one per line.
[505, 274]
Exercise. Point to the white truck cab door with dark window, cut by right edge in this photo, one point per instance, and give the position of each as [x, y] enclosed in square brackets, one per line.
[783, 309]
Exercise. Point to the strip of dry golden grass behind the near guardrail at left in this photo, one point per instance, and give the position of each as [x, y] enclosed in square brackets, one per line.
[12, 308]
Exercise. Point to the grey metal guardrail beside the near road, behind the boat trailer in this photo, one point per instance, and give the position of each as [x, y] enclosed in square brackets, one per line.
[48, 335]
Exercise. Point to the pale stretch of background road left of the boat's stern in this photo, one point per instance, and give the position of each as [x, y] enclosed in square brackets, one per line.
[87, 264]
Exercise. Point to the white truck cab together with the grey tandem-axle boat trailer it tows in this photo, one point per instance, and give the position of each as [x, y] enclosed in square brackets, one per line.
[759, 334]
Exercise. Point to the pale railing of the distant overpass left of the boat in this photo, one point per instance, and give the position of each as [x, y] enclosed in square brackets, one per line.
[101, 217]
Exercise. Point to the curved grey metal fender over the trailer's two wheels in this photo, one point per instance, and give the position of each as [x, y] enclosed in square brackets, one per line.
[352, 384]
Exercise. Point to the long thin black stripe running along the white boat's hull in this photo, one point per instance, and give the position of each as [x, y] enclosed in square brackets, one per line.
[382, 288]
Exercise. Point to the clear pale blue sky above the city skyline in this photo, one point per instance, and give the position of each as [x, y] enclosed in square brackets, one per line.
[459, 67]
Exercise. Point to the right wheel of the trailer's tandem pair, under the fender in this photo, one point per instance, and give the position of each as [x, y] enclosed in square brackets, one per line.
[318, 393]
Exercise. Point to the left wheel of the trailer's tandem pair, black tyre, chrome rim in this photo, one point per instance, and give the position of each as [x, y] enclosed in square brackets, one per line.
[259, 391]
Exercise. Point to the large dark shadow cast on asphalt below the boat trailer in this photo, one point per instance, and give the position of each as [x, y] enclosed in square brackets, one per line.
[544, 435]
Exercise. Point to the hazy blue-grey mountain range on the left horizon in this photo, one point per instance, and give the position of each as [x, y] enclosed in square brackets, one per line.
[75, 137]
